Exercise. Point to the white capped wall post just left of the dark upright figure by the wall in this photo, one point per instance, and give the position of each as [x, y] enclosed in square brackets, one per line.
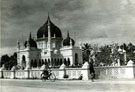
[85, 71]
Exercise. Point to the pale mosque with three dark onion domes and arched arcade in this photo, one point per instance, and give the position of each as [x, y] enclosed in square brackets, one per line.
[48, 47]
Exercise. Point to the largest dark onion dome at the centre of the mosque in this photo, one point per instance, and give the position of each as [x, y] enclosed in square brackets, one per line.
[43, 30]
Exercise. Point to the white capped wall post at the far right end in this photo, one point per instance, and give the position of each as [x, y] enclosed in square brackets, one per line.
[130, 69]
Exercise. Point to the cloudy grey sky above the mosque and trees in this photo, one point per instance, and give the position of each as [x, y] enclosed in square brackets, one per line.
[92, 21]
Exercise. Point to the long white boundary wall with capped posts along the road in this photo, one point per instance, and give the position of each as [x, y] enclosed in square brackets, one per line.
[74, 73]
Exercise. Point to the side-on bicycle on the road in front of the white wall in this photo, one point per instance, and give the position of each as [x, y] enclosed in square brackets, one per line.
[50, 76]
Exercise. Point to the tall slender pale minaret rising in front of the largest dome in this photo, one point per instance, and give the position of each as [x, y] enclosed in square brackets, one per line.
[49, 34]
